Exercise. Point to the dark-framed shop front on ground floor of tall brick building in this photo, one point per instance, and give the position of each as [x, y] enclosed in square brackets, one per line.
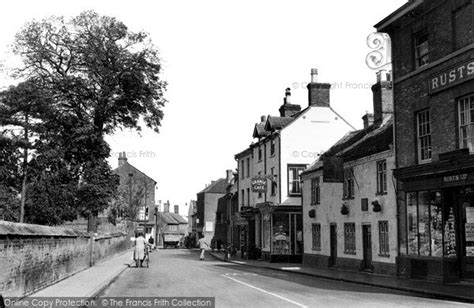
[436, 220]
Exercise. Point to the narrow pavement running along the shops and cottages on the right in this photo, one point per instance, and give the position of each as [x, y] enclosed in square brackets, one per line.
[461, 291]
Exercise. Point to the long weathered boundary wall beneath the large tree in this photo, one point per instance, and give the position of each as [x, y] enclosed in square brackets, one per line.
[33, 257]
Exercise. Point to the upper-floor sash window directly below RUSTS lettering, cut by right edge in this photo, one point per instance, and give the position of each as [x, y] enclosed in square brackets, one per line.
[466, 123]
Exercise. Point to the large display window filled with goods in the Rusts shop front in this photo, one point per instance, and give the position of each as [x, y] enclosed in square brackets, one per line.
[425, 226]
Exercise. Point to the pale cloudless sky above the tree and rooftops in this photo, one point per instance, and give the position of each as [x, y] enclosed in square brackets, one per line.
[226, 63]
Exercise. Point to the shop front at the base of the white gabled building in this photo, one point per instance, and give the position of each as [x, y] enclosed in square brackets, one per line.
[281, 233]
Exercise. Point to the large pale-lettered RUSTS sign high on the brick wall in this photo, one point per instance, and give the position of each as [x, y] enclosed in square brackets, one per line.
[450, 77]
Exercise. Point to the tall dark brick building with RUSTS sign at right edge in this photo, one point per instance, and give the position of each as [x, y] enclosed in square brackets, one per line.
[433, 71]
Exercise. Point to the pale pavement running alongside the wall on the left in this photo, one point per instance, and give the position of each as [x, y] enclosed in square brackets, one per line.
[91, 281]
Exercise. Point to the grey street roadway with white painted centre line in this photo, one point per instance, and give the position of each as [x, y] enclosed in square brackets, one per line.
[177, 273]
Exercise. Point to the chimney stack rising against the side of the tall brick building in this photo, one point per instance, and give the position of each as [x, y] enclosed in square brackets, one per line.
[382, 96]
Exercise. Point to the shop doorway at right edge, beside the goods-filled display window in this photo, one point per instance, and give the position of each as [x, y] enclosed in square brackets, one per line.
[467, 239]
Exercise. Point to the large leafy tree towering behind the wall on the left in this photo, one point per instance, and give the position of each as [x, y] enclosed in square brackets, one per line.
[96, 76]
